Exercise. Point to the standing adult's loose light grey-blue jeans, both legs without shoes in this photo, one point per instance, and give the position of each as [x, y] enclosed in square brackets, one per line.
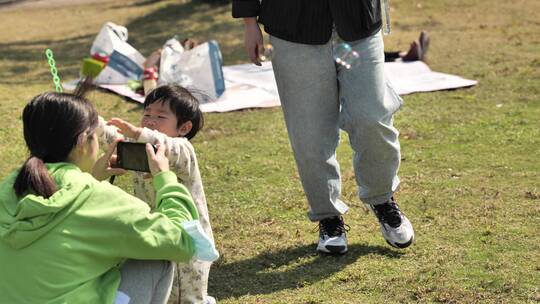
[318, 99]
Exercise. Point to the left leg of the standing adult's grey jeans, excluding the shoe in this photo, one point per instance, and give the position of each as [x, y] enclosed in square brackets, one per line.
[307, 84]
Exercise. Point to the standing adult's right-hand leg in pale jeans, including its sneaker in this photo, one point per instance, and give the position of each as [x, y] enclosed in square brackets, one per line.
[368, 103]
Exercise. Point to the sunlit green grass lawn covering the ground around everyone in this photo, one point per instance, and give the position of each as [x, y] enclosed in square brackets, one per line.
[470, 171]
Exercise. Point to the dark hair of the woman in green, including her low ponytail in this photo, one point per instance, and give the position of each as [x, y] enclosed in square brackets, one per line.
[52, 124]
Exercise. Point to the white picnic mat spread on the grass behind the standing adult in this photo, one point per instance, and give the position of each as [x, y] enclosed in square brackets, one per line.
[250, 86]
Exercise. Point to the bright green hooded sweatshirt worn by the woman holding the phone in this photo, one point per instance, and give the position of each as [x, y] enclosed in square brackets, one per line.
[67, 248]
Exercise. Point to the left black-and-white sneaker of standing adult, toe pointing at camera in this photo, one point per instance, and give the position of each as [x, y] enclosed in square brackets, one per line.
[333, 236]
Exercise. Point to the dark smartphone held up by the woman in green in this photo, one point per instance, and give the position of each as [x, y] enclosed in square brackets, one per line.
[132, 156]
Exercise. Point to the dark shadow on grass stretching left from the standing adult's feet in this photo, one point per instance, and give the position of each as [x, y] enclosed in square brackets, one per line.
[290, 268]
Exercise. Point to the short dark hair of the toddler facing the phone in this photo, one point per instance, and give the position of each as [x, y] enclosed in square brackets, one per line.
[182, 103]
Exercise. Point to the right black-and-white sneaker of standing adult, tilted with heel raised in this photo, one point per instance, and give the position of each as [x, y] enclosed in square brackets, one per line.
[395, 226]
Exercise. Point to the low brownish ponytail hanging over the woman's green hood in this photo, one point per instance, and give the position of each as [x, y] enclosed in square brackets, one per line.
[34, 176]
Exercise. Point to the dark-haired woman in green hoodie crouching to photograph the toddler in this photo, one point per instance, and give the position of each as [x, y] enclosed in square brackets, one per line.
[65, 234]
